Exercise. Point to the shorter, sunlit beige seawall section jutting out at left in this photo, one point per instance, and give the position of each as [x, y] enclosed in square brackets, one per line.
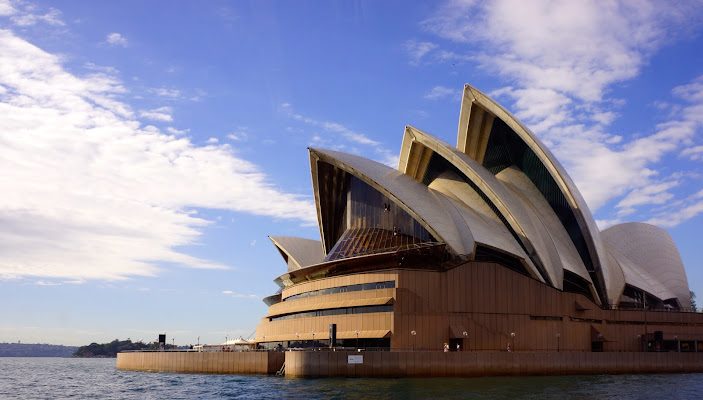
[252, 362]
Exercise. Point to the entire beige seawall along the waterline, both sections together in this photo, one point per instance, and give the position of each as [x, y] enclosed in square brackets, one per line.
[313, 364]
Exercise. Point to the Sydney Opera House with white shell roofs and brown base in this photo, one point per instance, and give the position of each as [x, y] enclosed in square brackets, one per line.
[482, 246]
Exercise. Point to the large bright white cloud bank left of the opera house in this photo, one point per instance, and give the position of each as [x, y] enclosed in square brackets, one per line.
[89, 194]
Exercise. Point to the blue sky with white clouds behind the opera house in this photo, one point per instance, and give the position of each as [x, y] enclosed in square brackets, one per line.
[147, 149]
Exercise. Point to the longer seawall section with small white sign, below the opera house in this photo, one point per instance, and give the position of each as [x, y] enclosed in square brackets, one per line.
[313, 364]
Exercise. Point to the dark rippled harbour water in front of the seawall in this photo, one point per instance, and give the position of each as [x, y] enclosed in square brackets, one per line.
[61, 378]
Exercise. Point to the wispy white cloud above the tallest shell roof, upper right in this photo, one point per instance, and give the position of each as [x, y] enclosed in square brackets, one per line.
[562, 59]
